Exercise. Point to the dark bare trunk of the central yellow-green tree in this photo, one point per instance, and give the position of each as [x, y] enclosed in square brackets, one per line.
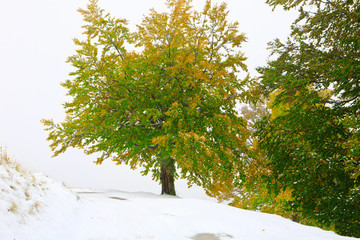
[167, 177]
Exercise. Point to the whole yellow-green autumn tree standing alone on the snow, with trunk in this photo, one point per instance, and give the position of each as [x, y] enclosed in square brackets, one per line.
[167, 106]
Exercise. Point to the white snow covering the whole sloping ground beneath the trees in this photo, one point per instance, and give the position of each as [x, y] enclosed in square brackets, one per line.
[34, 207]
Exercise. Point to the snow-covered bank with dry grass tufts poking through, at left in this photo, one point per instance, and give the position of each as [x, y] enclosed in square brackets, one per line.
[29, 202]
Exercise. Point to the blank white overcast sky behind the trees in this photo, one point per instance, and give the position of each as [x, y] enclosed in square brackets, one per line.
[35, 41]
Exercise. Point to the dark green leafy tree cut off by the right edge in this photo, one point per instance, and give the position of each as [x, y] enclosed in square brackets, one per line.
[311, 139]
